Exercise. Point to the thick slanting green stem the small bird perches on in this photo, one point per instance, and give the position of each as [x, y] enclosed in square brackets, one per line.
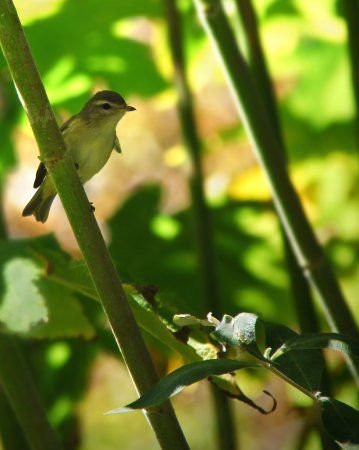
[68, 185]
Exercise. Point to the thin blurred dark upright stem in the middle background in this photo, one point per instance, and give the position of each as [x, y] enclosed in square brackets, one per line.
[203, 226]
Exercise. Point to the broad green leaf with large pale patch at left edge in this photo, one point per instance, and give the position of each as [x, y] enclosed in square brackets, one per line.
[32, 304]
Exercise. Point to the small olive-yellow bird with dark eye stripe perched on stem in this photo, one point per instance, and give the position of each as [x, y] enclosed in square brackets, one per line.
[90, 136]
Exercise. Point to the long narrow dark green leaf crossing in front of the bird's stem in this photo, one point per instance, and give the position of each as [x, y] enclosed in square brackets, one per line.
[176, 381]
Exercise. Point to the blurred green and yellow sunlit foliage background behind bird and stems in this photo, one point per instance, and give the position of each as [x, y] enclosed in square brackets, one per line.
[143, 204]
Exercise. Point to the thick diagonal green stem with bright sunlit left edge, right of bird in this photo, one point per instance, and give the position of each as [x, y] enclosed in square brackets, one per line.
[255, 118]
